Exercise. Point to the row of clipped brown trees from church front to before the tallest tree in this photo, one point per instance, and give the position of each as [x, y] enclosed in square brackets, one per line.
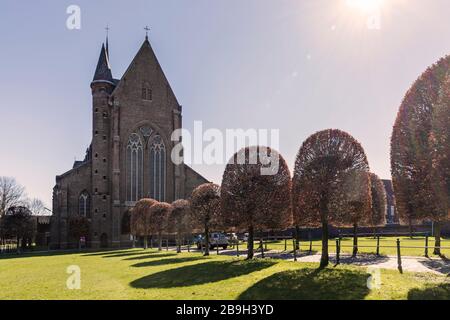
[331, 186]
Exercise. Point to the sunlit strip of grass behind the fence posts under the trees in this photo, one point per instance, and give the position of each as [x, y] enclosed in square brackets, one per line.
[367, 245]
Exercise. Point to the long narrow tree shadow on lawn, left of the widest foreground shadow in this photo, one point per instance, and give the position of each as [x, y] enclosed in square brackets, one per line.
[200, 273]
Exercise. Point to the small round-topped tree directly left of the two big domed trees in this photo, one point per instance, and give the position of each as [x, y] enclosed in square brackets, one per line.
[205, 209]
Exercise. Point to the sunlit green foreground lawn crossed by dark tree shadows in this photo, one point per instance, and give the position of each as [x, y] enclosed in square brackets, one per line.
[149, 274]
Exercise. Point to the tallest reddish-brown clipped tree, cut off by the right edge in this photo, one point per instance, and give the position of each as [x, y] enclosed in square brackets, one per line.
[420, 150]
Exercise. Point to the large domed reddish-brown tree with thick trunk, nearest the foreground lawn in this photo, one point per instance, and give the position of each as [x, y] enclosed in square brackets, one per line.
[321, 163]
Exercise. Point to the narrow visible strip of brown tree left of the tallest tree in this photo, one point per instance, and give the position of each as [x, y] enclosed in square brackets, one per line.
[379, 205]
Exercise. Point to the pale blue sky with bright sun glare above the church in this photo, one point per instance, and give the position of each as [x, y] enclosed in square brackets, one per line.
[299, 66]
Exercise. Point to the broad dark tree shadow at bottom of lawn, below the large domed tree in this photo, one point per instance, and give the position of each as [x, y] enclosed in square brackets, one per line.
[310, 284]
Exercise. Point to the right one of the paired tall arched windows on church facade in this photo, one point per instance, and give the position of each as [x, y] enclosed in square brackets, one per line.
[157, 169]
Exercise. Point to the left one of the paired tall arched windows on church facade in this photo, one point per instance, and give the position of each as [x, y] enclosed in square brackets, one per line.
[134, 162]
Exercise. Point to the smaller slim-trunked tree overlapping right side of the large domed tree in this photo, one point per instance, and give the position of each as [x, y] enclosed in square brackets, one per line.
[351, 202]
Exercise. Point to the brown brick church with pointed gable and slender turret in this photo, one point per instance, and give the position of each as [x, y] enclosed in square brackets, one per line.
[129, 156]
